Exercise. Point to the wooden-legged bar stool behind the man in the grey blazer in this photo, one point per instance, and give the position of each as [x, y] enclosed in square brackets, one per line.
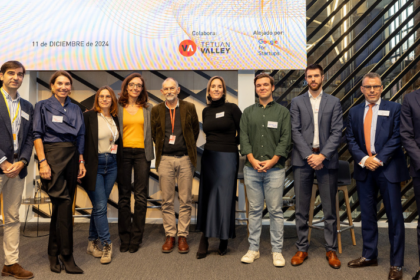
[344, 180]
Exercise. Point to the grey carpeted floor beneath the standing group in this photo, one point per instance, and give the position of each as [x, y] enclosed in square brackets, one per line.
[150, 263]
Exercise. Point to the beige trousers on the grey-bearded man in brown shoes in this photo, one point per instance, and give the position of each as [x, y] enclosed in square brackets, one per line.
[172, 170]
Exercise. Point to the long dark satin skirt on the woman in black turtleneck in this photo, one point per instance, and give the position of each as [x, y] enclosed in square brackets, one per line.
[217, 194]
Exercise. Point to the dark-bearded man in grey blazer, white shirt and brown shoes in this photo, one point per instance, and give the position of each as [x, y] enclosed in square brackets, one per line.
[317, 124]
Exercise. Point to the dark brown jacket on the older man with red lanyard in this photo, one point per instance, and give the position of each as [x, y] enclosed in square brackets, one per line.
[190, 129]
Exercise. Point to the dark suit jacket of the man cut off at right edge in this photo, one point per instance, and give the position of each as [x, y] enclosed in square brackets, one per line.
[410, 130]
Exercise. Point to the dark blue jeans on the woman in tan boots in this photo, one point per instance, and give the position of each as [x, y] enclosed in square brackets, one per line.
[105, 179]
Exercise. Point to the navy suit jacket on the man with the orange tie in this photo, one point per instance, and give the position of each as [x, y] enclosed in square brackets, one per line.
[387, 142]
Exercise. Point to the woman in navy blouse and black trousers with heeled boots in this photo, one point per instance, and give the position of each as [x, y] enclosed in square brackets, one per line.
[59, 133]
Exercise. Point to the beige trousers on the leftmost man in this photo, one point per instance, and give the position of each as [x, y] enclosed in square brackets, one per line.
[12, 190]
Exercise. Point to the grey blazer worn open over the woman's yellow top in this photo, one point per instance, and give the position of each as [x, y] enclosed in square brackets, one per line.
[148, 142]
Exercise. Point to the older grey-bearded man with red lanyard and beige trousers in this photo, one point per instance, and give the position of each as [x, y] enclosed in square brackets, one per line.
[175, 130]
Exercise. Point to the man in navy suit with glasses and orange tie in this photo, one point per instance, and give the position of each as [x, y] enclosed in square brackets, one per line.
[373, 136]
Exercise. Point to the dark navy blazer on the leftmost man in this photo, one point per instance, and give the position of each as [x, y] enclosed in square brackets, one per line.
[25, 136]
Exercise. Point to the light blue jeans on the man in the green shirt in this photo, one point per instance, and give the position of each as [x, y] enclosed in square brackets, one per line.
[270, 186]
